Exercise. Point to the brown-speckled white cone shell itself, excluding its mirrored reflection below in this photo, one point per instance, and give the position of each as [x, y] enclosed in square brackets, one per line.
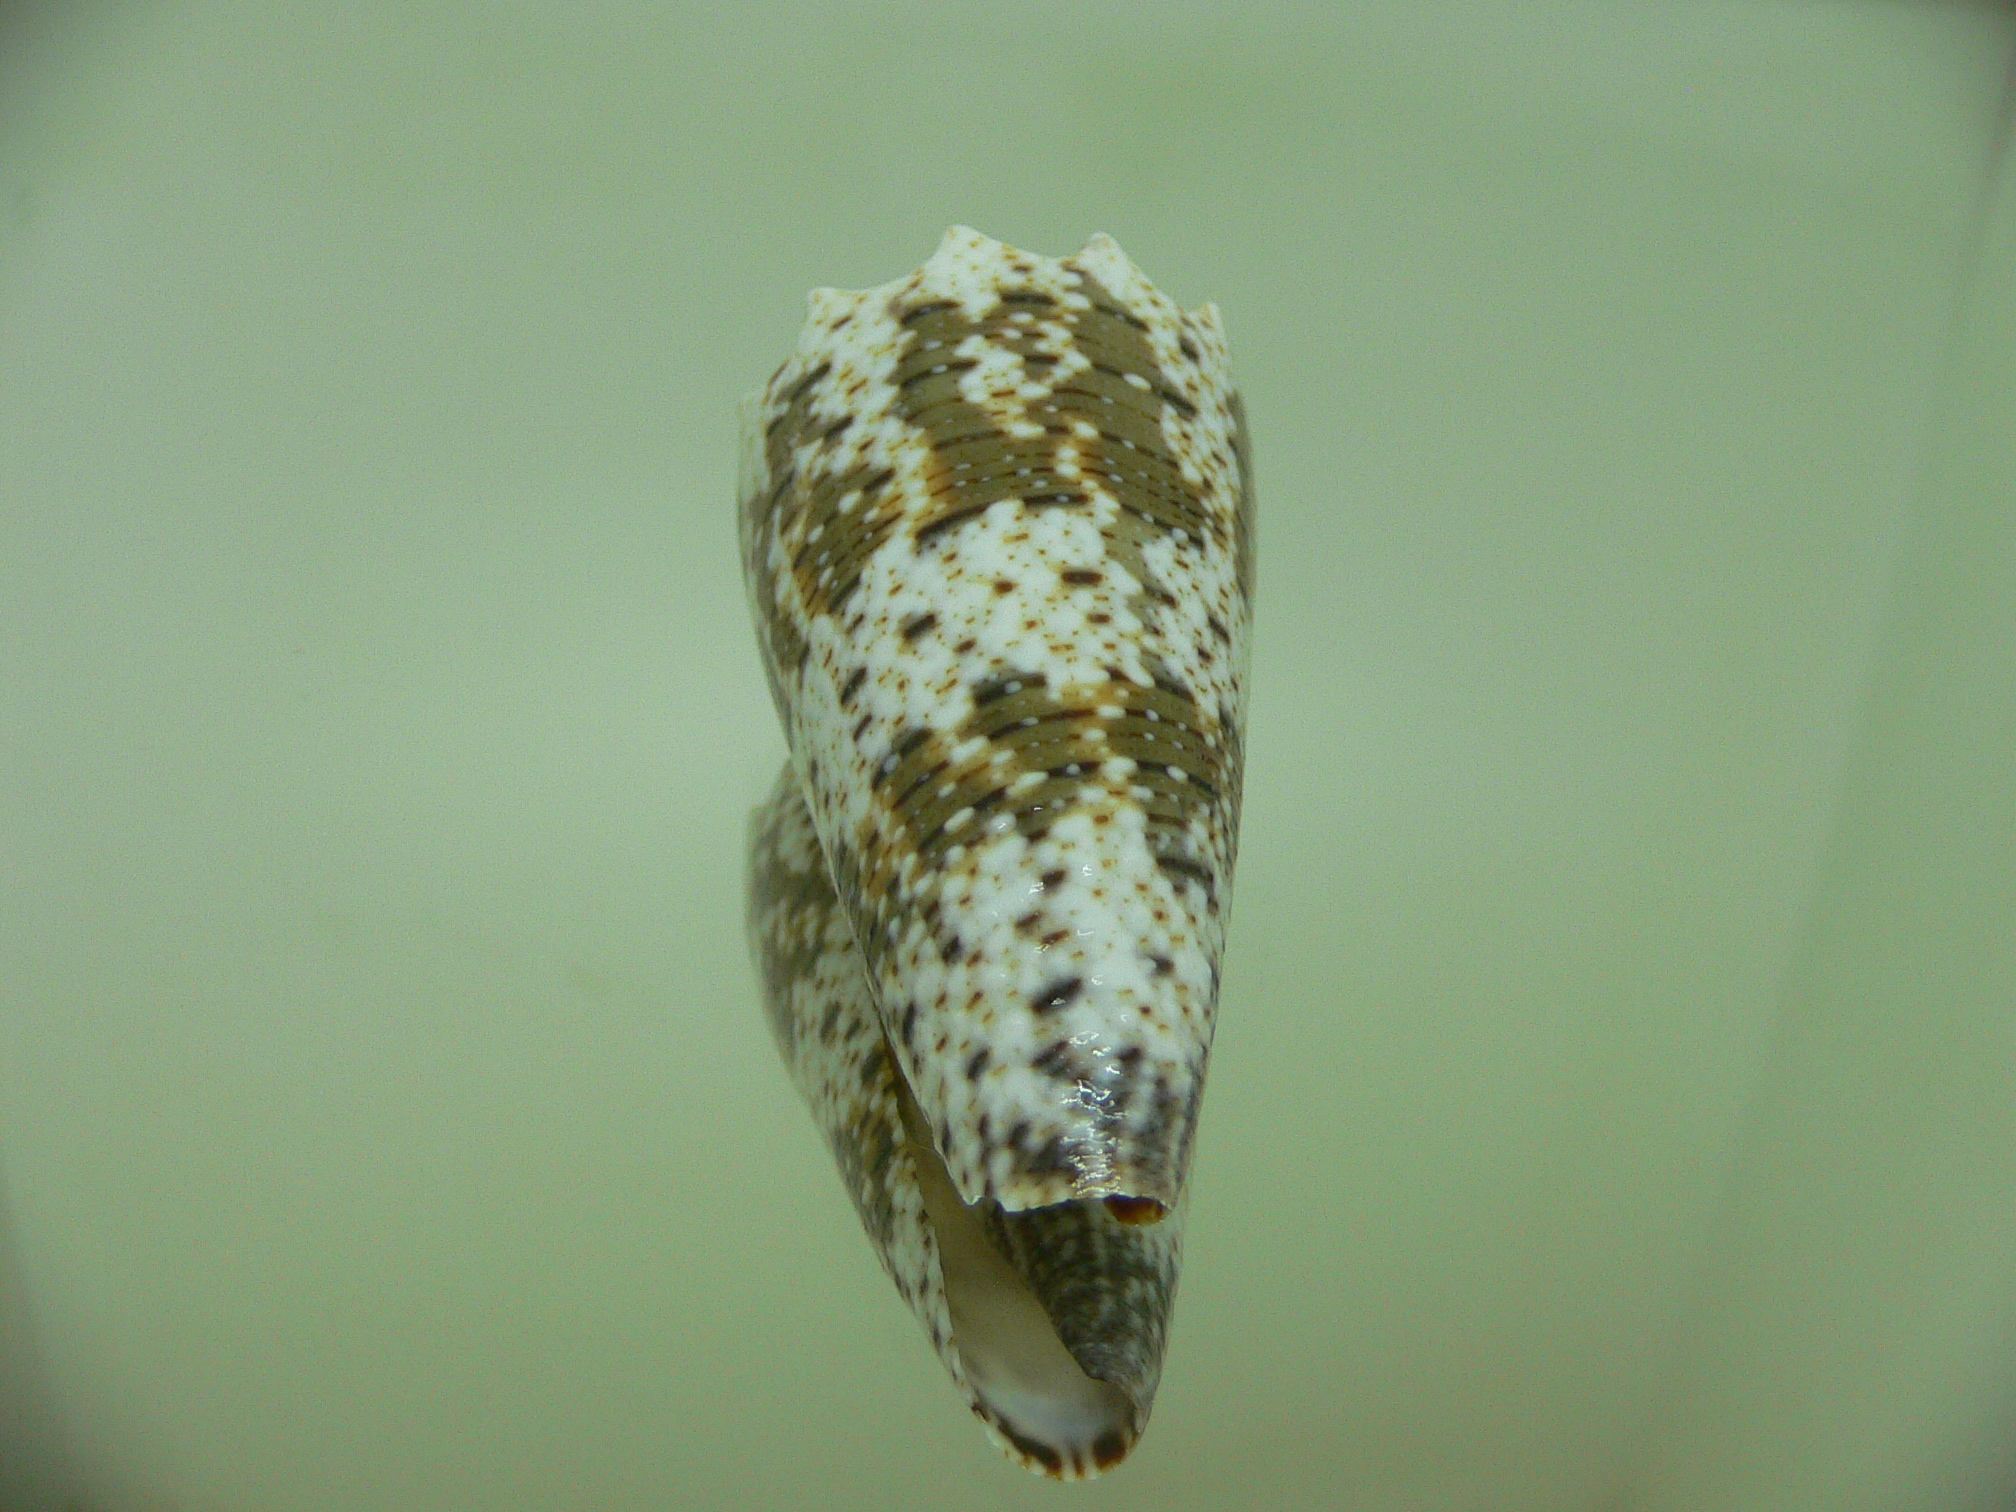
[999, 535]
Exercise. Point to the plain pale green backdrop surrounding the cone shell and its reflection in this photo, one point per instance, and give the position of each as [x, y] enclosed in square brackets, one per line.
[1616, 1084]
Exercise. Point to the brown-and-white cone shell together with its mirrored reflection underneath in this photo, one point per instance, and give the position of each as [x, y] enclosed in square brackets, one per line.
[999, 537]
